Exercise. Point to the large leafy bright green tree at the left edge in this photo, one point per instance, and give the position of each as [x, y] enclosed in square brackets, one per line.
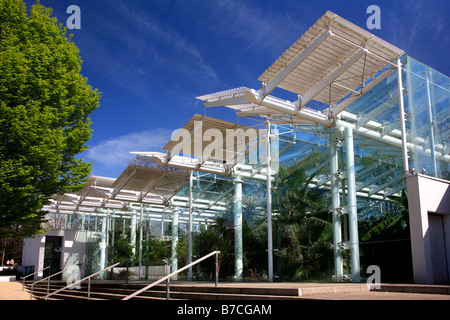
[45, 104]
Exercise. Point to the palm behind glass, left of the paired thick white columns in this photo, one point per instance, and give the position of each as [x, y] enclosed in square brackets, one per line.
[303, 220]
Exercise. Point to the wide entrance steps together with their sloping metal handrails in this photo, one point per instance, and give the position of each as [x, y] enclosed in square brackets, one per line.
[157, 290]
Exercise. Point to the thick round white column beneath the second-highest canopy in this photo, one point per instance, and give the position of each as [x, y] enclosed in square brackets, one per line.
[238, 246]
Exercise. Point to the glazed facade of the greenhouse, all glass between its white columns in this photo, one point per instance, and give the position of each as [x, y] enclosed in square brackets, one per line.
[301, 193]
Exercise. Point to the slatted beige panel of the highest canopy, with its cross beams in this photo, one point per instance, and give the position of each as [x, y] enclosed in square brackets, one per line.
[331, 60]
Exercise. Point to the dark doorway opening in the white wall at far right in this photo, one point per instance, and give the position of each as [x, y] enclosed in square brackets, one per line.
[439, 258]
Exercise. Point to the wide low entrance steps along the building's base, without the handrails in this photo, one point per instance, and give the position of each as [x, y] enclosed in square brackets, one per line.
[110, 290]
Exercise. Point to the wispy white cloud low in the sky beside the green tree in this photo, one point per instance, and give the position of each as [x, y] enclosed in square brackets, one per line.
[116, 151]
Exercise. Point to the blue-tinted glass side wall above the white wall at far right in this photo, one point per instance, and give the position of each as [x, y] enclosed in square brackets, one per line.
[429, 107]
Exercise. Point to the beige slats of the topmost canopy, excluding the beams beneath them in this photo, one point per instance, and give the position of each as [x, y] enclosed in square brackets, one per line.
[336, 48]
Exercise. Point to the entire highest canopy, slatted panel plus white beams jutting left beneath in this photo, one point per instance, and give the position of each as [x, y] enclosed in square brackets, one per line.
[335, 62]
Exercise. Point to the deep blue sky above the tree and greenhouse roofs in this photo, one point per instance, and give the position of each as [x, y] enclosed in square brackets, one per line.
[151, 58]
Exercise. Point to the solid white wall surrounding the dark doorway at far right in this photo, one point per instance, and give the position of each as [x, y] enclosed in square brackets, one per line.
[426, 195]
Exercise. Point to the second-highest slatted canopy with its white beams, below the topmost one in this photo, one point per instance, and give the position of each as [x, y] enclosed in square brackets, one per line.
[210, 145]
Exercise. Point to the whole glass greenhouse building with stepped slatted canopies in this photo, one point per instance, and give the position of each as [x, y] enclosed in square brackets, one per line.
[354, 172]
